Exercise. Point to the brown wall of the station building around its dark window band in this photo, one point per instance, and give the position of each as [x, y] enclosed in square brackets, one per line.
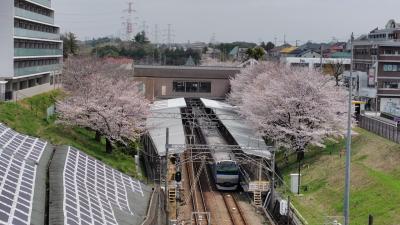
[153, 88]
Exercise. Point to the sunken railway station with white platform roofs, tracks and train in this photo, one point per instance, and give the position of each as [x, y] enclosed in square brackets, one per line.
[205, 157]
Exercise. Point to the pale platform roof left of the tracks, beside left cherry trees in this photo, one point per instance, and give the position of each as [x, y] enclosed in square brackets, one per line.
[166, 114]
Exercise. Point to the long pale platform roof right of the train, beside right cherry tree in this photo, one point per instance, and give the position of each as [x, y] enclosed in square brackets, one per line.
[244, 136]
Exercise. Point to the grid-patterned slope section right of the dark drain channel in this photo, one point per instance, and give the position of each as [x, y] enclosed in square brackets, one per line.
[92, 189]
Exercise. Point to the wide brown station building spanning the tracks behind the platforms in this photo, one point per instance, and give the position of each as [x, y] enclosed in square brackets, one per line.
[165, 82]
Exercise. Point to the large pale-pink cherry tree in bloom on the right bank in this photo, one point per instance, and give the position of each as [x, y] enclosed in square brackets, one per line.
[295, 107]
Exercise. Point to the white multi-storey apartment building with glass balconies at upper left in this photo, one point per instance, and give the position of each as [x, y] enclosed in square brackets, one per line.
[30, 48]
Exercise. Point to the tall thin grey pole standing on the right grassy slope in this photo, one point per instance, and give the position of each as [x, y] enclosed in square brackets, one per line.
[348, 142]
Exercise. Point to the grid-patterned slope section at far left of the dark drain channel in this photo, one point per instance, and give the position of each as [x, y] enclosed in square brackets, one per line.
[19, 156]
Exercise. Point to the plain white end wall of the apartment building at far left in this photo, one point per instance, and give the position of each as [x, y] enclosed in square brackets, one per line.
[6, 38]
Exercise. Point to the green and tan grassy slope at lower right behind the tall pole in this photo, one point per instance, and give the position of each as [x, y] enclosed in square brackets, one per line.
[375, 183]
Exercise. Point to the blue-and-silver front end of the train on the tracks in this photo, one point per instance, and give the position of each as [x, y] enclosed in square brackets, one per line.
[226, 175]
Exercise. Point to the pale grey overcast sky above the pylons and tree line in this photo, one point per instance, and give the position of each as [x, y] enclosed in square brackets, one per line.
[230, 20]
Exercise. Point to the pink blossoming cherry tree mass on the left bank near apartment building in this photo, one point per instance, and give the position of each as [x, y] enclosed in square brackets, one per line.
[104, 98]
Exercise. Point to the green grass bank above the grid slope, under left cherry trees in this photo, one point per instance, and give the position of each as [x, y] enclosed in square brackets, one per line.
[29, 117]
